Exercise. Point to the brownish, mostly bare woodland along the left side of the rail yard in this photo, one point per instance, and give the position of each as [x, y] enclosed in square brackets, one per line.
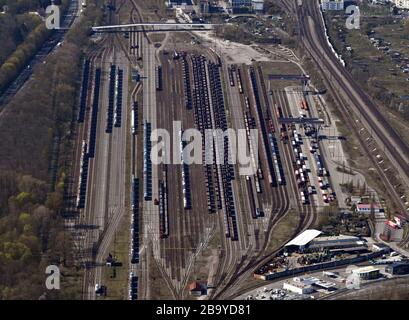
[32, 231]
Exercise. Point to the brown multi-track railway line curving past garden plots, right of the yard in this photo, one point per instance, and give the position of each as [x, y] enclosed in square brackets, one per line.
[311, 8]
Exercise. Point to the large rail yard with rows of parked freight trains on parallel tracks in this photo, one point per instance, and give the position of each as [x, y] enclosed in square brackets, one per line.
[205, 221]
